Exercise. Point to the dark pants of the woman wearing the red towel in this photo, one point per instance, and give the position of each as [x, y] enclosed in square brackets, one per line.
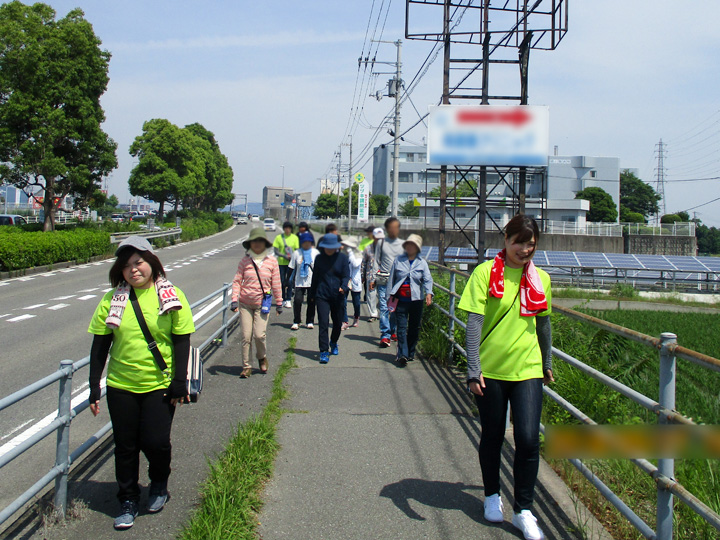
[525, 398]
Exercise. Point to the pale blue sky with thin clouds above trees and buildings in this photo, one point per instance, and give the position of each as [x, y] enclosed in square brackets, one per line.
[276, 82]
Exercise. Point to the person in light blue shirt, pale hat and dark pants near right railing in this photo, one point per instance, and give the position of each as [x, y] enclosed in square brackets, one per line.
[409, 287]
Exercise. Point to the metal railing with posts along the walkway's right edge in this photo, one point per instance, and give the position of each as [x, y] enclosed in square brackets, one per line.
[664, 408]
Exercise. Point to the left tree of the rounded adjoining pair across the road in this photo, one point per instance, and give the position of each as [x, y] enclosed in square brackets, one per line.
[170, 166]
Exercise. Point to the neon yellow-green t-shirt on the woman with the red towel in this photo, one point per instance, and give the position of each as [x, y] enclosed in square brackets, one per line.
[511, 352]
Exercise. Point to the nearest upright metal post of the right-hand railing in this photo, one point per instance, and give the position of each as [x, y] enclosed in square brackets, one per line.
[666, 466]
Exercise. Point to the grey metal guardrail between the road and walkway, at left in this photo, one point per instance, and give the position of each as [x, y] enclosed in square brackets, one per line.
[64, 459]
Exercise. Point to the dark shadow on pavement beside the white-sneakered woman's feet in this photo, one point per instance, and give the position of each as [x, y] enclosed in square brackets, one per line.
[444, 495]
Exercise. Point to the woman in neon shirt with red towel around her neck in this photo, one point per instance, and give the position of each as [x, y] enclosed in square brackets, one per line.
[508, 301]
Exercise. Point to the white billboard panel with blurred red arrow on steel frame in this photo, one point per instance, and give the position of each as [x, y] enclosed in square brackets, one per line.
[495, 135]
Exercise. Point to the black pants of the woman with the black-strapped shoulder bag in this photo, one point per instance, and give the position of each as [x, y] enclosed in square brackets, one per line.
[141, 422]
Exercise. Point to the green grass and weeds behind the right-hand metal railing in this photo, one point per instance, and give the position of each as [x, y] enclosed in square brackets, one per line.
[636, 366]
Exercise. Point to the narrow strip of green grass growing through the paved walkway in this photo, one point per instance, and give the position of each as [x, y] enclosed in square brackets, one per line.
[231, 494]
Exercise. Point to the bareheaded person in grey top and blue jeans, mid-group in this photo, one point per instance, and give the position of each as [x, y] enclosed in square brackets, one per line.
[386, 251]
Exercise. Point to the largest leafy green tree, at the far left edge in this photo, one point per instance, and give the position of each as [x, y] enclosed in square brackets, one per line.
[52, 75]
